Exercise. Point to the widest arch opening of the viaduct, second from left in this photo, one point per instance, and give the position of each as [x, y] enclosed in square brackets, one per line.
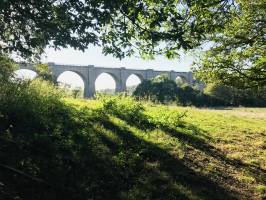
[72, 82]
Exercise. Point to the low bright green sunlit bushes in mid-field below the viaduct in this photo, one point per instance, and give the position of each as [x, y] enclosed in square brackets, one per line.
[134, 112]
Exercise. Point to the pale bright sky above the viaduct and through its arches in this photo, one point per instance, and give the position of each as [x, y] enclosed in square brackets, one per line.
[94, 56]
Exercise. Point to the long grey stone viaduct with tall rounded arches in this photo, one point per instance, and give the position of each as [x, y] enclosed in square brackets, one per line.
[90, 73]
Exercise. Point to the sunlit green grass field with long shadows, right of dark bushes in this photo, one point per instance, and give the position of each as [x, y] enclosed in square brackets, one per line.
[206, 154]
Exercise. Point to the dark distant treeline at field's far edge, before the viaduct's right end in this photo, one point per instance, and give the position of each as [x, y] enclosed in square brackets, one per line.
[163, 90]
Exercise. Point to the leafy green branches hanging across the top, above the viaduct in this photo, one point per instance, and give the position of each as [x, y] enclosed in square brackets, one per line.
[122, 27]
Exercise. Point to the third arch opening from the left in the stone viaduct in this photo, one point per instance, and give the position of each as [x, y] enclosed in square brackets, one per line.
[105, 83]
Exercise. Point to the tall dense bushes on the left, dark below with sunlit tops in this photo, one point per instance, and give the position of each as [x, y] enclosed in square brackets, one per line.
[37, 132]
